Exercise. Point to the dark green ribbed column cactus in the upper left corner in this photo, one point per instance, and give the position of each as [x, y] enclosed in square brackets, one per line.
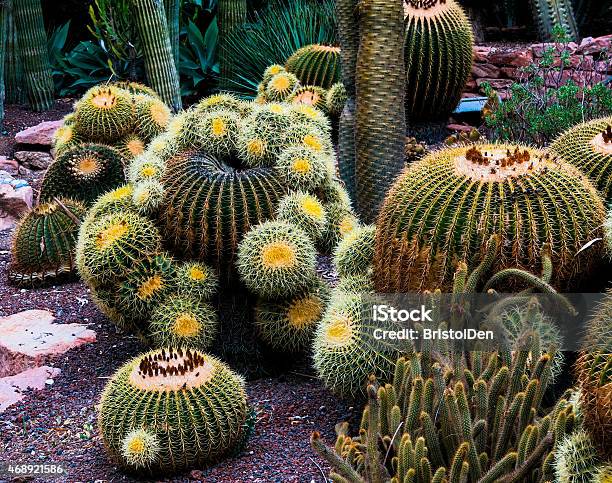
[34, 55]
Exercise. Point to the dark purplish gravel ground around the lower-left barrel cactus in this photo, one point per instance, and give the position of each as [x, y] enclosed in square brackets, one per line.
[57, 425]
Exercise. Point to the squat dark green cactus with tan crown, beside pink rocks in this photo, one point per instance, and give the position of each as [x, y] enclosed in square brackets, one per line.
[83, 173]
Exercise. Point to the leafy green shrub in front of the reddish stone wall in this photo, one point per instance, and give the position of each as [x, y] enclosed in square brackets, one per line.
[548, 99]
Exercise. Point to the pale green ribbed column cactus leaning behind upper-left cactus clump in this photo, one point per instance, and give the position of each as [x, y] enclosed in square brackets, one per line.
[160, 68]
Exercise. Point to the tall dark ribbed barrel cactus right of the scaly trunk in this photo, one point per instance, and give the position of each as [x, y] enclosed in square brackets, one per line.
[438, 56]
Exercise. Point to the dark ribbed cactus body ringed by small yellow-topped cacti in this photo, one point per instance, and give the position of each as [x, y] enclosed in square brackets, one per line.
[210, 205]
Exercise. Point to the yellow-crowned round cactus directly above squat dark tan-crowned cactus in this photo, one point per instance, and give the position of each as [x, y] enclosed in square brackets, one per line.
[104, 113]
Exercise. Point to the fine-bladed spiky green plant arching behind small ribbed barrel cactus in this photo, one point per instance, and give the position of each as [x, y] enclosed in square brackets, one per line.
[277, 32]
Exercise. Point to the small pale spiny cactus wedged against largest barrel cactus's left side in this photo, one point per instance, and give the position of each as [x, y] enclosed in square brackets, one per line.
[355, 252]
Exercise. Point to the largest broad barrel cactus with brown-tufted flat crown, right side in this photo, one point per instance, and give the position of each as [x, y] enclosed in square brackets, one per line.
[446, 206]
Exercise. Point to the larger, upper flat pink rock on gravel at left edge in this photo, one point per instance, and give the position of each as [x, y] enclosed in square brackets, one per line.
[30, 338]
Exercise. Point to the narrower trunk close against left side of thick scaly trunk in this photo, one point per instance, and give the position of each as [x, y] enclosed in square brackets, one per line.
[348, 33]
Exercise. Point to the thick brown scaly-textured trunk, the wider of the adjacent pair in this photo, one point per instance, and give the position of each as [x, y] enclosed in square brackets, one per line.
[380, 127]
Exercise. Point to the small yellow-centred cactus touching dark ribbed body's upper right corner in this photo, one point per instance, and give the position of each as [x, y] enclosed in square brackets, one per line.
[302, 168]
